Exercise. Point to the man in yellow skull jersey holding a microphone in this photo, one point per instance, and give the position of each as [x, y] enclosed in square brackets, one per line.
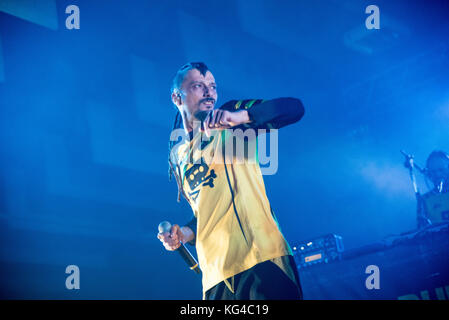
[241, 250]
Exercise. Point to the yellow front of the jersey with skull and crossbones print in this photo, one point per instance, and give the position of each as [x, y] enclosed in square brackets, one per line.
[228, 243]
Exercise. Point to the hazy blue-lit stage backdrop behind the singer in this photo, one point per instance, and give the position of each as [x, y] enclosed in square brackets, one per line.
[85, 117]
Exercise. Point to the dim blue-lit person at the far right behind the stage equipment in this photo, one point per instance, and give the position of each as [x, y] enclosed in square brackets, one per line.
[436, 201]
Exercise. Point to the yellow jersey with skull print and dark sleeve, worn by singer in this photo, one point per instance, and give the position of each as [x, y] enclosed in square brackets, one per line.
[234, 224]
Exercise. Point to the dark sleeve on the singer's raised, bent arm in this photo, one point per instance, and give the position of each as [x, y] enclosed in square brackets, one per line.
[269, 114]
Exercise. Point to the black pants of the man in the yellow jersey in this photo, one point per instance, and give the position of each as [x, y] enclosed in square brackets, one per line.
[264, 281]
